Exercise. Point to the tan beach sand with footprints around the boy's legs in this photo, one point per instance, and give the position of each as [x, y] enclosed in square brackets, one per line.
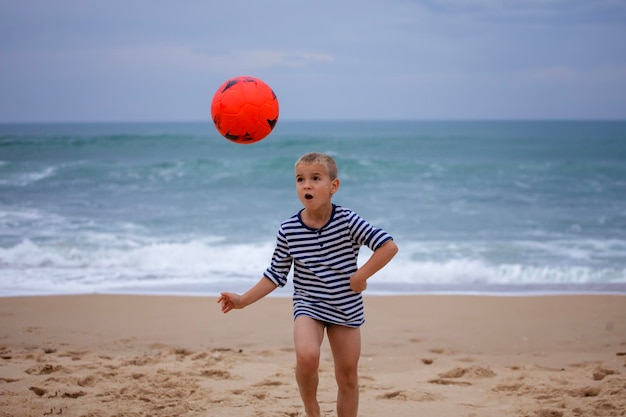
[469, 356]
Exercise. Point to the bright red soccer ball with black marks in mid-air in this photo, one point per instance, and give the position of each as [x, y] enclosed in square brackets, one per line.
[244, 110]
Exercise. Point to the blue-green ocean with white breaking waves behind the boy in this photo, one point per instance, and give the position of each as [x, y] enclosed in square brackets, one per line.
[494, 207]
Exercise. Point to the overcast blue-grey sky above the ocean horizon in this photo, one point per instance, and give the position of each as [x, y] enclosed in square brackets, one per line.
[151, 60]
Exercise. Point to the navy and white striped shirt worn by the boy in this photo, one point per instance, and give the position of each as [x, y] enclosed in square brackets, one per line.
[324, 260]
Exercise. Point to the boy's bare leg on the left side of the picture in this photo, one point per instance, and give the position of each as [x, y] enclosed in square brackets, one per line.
[308, 336]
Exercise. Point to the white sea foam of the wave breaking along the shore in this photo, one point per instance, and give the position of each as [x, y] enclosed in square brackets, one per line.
[206, 267]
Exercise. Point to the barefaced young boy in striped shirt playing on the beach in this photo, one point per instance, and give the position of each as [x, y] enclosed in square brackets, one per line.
[322, 241]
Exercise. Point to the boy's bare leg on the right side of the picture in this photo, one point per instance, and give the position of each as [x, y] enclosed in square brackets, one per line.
[345, 343]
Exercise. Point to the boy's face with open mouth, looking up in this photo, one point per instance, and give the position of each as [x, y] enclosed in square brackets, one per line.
[314, 186]
